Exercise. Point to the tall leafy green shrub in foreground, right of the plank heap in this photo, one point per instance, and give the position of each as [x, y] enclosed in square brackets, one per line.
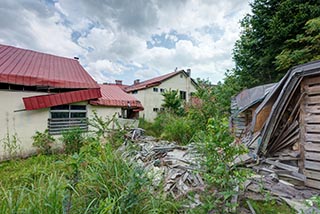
[217, 147]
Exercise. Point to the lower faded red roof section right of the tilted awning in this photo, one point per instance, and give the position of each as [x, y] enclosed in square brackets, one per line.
[113, 95]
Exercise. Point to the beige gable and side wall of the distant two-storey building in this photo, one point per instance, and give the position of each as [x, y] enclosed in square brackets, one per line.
[151, 99]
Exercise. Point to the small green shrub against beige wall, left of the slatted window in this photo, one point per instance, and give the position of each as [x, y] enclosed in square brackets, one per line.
[43, 141]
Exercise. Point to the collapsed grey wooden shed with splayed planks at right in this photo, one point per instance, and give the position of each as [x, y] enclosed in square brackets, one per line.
[283, 134]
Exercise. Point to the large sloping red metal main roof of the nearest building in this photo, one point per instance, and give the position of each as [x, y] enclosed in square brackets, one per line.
[31, 68]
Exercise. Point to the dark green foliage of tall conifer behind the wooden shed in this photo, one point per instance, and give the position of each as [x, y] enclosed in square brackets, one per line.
[264, 36]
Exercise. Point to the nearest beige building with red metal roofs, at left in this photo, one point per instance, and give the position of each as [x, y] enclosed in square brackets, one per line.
[41, 91]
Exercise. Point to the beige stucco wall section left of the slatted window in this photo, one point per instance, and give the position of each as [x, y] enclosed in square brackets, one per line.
[23, 124]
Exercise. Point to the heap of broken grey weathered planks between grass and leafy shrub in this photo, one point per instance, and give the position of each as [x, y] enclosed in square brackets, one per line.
[176, 167]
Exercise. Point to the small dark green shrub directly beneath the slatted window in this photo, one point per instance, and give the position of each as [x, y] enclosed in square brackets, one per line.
[73, 140]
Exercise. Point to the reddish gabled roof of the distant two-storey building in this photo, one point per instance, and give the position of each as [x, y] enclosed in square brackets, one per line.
[156, 81]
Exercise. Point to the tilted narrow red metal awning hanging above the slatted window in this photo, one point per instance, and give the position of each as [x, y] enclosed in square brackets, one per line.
[45, 101]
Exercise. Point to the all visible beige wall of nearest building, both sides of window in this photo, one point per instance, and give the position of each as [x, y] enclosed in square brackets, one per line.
[24, 124]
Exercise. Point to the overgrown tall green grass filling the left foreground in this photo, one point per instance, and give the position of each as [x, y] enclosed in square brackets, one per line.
[95, 180]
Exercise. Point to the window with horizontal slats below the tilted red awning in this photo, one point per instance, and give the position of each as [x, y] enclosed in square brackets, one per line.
[66, 117]
